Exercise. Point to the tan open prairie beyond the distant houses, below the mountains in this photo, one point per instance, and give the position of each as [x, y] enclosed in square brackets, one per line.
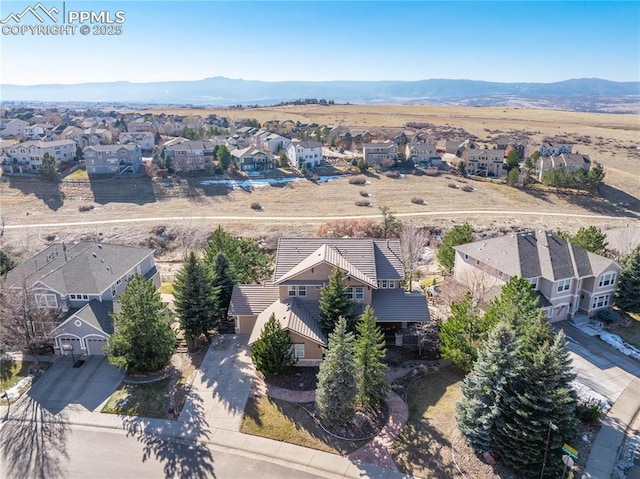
[611, 139]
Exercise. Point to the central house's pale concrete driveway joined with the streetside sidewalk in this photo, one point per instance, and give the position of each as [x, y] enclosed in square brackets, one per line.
[212, 416]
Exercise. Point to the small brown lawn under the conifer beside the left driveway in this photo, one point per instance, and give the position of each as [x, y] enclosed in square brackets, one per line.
[146, 400]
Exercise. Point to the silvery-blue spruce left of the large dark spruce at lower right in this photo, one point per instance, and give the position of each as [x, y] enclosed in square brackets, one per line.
[486, 388]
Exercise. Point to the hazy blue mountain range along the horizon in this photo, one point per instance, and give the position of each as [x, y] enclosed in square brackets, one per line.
[585, 94]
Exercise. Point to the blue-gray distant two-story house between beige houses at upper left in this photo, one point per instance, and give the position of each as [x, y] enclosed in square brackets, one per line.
[113, 159]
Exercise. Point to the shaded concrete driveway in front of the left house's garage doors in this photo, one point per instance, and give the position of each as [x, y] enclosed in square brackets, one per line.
[83, 388]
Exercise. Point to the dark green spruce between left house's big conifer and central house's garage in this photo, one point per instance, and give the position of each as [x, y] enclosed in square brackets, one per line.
[196, 299]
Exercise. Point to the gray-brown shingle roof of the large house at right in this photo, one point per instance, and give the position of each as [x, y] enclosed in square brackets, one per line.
[536, 254]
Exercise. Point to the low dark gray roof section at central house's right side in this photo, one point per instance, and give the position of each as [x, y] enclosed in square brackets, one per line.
[391, 305]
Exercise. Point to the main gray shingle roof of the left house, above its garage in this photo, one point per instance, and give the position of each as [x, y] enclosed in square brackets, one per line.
[86, 268]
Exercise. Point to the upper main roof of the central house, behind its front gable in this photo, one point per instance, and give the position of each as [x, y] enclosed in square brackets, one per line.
[376, 259]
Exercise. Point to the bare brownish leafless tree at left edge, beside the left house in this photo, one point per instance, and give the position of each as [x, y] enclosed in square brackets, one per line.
[24, 325]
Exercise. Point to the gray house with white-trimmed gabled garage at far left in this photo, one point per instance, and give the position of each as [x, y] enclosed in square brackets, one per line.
[82, 280]
